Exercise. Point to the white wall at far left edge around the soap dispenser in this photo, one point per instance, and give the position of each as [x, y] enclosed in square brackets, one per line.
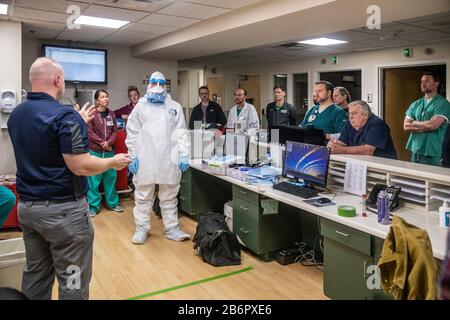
[10, 78]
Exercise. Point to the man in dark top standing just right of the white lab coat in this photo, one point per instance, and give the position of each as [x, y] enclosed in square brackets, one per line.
[279, 112]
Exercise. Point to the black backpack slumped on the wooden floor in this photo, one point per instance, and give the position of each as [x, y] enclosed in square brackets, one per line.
[215, 243]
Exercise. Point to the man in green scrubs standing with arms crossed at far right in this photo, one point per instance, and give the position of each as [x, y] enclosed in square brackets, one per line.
[427, 119]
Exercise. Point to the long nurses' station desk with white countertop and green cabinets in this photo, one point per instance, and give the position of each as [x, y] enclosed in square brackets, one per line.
[350, 245]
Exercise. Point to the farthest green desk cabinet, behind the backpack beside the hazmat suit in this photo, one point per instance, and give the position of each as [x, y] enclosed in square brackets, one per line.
[201, 192]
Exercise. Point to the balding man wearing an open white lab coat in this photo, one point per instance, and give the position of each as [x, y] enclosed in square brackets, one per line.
[243, 113]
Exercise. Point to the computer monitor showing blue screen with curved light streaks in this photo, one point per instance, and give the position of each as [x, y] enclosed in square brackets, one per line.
[307, 162]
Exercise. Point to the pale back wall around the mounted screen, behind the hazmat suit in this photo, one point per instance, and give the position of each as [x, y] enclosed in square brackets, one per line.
[123, 70]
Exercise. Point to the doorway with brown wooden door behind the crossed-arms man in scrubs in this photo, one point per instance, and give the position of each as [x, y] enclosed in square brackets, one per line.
[401, 87]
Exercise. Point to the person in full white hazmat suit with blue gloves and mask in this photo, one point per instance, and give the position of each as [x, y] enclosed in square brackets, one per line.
[158, 142]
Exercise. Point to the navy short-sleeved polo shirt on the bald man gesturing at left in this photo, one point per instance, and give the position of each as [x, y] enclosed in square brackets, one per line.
[41, 130]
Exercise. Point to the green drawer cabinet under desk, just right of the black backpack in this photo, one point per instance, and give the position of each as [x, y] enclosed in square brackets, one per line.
[263, 233]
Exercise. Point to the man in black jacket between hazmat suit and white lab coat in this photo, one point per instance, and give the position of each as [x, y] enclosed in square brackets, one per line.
[207, 112]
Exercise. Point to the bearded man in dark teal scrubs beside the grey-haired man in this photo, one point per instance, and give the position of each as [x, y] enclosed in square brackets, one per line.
[326, 115]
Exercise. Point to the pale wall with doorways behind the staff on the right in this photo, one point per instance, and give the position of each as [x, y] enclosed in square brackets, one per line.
[369, 62]
